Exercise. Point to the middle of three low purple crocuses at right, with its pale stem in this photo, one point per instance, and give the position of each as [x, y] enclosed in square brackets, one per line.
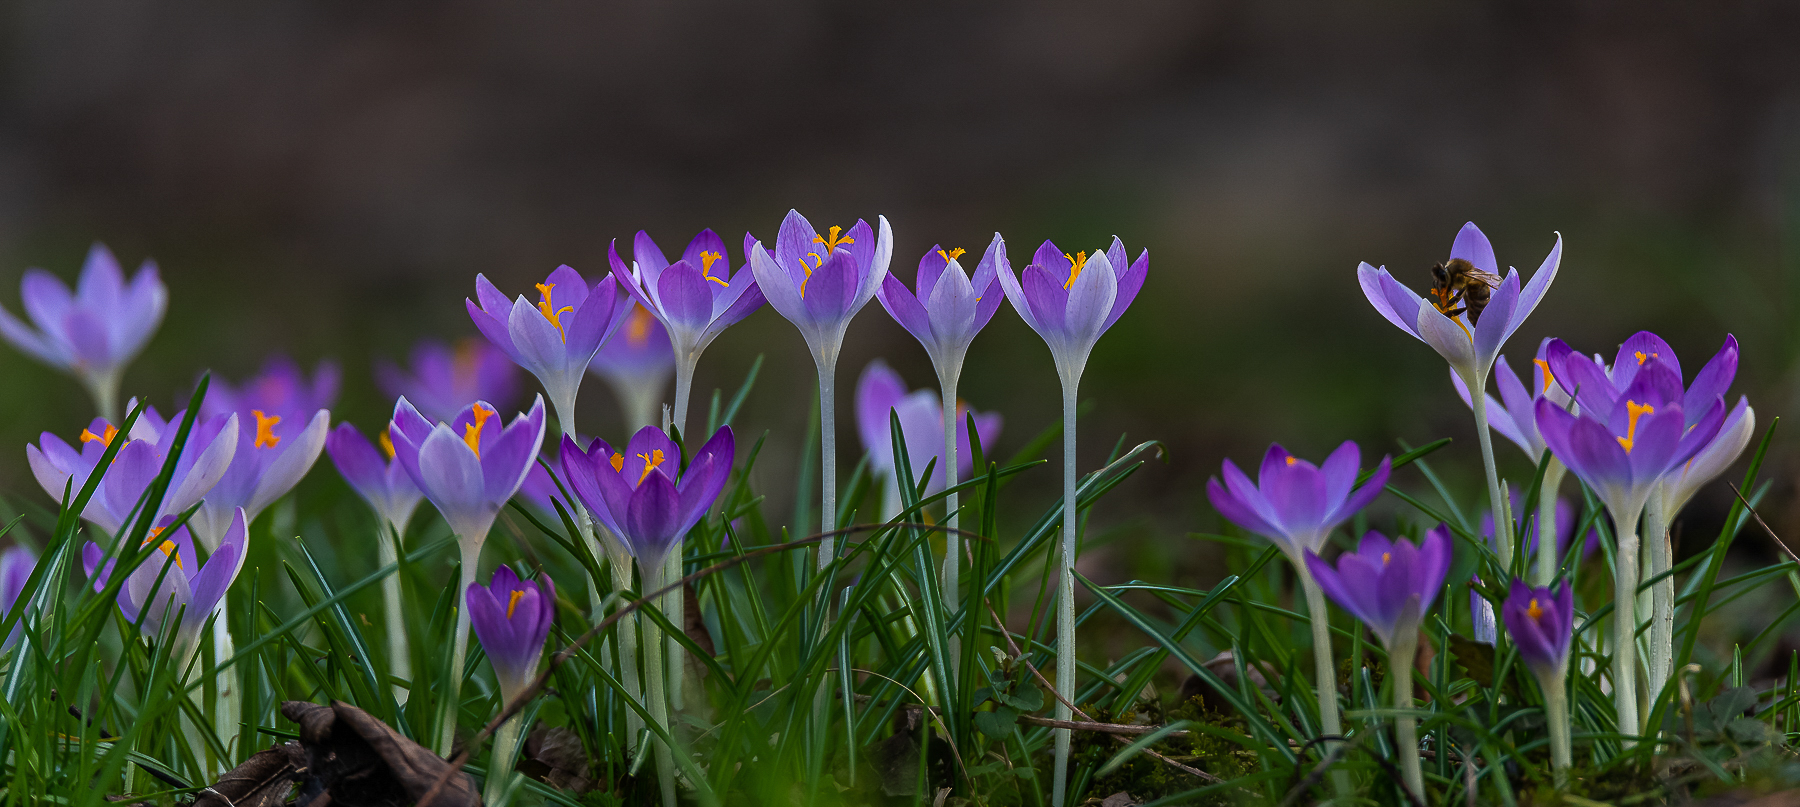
[1389, 586]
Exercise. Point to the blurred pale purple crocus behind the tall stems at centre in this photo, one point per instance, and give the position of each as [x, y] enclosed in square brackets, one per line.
[921, 415]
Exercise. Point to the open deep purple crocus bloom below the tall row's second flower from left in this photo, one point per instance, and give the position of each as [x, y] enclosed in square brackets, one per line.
[636, 493]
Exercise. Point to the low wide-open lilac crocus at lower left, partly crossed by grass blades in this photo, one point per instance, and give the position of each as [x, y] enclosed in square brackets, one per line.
[188, 585]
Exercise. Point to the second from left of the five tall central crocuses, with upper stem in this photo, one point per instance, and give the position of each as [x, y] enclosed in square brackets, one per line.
[696, 300]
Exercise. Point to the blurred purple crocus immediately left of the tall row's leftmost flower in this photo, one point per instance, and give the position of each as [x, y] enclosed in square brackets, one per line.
[444, 379]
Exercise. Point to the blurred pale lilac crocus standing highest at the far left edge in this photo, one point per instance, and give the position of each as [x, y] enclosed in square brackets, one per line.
[94, 331]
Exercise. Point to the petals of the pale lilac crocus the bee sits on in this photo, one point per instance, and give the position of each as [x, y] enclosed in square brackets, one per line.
[1471, 349]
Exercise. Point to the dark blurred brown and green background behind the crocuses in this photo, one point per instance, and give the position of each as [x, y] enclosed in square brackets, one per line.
[328, 179]
